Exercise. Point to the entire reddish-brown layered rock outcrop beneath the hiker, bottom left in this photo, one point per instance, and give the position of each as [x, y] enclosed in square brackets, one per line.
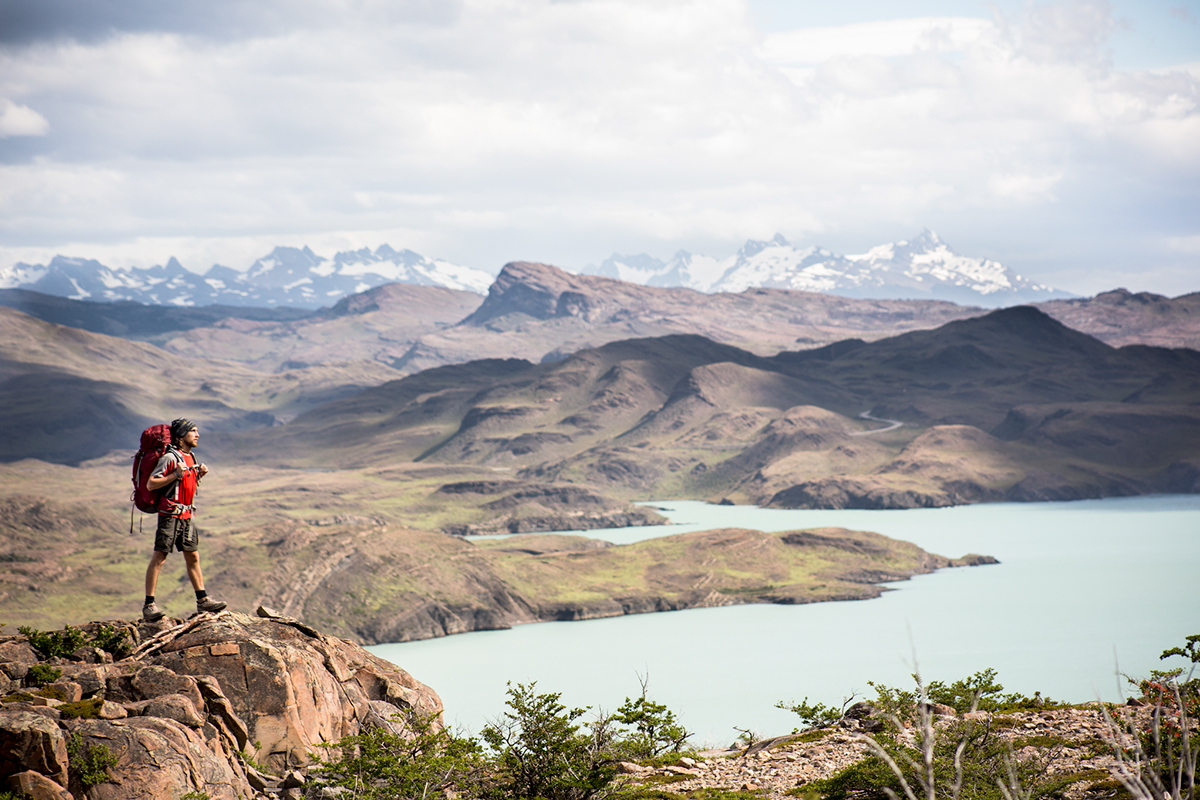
[197, 707]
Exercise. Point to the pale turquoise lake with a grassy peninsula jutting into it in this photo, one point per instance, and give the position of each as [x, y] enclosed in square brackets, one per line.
[1084, 591]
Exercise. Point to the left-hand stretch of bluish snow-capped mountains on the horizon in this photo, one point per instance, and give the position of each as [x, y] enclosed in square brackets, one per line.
[287, 276]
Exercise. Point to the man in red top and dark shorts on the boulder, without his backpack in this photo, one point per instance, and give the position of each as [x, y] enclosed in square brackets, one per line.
[178, 476]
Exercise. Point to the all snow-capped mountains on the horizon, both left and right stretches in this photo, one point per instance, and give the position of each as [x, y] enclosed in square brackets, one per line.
[922, 269]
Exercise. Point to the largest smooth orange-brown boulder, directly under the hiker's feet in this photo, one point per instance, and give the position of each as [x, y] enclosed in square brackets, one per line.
[292, 687]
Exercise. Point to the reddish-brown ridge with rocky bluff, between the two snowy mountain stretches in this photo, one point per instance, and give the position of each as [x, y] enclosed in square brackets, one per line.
[542, 312]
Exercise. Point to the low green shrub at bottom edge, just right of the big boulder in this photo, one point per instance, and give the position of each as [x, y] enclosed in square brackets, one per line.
[427, 761]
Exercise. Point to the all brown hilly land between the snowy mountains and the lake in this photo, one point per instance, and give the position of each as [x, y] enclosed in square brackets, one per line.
[347, 443]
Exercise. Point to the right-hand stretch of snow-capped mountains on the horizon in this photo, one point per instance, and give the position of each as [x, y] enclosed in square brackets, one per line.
[925, 268]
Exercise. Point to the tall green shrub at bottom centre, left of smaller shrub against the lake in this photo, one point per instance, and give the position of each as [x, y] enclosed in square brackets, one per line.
[541, 751]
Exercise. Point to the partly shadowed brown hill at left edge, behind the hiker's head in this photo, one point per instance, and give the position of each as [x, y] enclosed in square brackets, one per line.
[70, 395]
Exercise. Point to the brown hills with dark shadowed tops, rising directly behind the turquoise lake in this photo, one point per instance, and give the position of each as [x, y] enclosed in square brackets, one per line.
[686, 417]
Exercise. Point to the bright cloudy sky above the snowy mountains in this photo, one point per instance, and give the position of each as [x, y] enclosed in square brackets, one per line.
[1060, 137]
